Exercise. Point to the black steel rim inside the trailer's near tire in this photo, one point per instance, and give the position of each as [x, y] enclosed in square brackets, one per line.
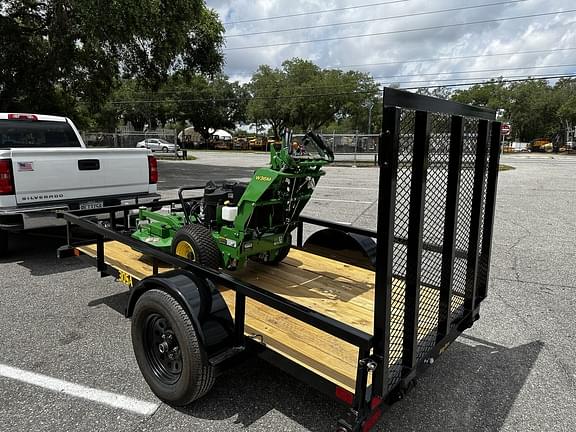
[162, 349]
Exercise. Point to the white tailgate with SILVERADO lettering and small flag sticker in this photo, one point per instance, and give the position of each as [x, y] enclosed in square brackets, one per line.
[52, 175]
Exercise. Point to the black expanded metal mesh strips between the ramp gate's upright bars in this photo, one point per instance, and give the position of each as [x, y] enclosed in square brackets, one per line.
[433, 230]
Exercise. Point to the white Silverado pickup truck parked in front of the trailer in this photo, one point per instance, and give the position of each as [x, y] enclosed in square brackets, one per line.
[45, 166]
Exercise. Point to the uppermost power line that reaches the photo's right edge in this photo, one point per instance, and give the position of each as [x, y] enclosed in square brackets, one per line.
[398, 31]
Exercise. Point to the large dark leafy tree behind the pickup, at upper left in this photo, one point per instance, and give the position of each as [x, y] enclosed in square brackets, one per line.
[58, 54]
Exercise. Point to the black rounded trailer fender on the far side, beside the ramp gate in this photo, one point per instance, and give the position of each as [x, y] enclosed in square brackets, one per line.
[354, 249]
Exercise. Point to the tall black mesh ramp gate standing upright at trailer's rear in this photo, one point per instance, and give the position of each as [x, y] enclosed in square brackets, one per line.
[438, 173]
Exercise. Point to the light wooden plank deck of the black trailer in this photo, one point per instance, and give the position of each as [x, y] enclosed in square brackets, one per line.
[338, 290]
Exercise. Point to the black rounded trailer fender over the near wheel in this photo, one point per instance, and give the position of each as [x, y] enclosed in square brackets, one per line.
[200, 299]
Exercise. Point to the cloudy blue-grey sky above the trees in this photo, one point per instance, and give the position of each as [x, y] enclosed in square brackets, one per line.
[393, 32]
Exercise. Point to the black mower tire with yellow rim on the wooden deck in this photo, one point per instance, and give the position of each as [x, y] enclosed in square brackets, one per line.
[195, 243]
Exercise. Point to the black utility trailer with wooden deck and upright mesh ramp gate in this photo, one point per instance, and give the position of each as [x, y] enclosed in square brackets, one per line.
[358, 314]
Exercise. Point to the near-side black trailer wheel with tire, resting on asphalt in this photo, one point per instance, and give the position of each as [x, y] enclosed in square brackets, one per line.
[167, 350]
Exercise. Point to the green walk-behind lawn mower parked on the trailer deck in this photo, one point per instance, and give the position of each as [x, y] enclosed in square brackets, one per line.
[236, 221]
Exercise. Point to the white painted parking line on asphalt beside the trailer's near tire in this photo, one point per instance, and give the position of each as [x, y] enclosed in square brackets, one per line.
[99, 396]
